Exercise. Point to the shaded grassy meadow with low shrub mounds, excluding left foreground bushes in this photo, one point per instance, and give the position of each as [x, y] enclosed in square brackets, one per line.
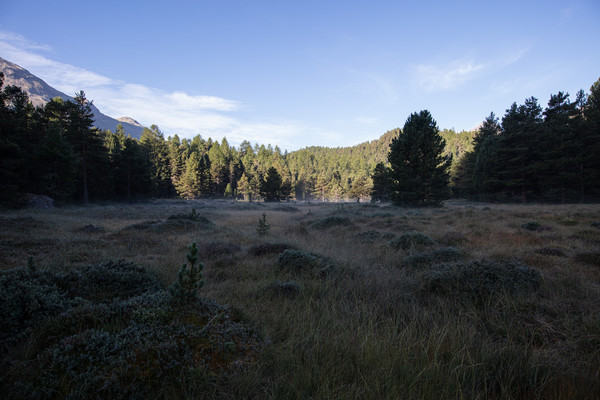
[346, 301]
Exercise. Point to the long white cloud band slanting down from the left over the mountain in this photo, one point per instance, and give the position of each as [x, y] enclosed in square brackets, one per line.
[175, 112]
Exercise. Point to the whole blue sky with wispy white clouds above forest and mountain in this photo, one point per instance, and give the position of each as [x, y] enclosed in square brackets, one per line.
[300, 73]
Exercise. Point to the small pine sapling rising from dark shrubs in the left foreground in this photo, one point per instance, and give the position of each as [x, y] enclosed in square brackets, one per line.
[189, 279]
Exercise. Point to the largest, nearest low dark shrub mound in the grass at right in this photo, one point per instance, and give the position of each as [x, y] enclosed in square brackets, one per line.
[481, 279]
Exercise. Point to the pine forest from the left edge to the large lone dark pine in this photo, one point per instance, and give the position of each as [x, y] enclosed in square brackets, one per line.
[56, 151]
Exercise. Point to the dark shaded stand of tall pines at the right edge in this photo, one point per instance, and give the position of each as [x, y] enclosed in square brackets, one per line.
[536, 154]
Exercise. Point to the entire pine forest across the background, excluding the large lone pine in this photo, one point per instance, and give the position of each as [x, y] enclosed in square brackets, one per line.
[531, 154]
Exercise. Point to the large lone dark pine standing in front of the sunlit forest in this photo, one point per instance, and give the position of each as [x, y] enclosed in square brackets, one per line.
[419, 169]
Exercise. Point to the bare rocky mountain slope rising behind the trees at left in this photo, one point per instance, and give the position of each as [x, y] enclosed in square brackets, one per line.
[40, 93]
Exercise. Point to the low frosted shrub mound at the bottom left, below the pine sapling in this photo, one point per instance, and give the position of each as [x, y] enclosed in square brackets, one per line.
[134, 349]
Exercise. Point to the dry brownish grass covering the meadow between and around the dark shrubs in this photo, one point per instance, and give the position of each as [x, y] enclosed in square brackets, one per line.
[369, 329]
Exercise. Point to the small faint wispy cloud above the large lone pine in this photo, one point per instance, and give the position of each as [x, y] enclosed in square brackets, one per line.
[442, 77]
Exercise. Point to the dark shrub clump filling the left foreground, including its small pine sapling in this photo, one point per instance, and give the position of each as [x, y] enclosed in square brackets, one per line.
[111, 331]
